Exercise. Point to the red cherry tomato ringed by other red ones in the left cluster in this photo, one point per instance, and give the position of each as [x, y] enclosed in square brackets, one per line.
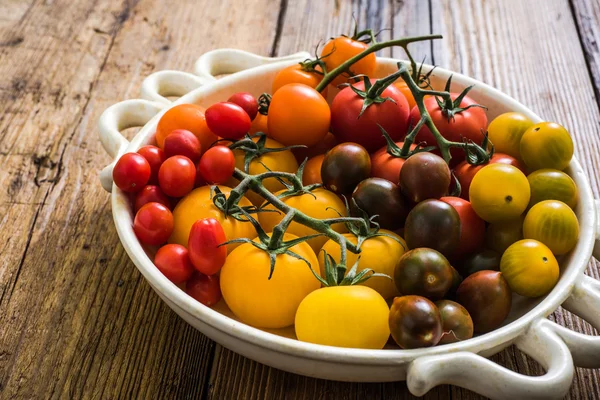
[177, 176]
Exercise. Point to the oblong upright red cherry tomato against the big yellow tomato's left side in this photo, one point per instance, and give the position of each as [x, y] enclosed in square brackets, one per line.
[203, 244]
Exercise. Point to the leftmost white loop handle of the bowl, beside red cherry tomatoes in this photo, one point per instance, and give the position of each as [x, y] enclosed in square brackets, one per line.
[120, 116]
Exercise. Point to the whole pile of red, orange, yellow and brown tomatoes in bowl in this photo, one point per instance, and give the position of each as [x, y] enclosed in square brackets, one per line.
[450, 245]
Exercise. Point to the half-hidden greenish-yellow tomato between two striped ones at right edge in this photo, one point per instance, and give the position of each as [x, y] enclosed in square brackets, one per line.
[552, 184]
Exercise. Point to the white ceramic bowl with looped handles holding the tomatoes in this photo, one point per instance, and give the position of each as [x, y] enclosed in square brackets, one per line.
[555, 347]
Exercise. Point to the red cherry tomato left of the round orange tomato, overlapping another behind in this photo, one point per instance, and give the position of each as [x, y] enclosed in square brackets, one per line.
[228, 120]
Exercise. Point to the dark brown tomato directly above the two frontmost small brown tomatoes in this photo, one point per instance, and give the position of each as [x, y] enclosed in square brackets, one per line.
[424, 272]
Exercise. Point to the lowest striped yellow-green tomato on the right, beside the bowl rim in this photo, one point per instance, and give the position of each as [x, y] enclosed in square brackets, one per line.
[530, 268]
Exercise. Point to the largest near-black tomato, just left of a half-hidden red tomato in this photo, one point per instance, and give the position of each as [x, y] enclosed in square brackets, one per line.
[433, 224]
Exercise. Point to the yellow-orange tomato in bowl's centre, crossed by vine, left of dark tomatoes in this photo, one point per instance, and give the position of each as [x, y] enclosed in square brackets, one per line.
[320, 203]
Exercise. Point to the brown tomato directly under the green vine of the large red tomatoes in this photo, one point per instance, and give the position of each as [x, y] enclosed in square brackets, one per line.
[424, 176]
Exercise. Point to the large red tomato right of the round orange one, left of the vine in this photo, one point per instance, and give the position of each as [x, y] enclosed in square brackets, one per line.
[349, 125]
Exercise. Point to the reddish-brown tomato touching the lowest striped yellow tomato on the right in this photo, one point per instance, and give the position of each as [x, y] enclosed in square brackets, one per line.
[487, 297]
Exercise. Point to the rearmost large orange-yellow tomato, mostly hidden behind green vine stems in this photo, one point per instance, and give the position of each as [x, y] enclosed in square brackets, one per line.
[282, 161]
